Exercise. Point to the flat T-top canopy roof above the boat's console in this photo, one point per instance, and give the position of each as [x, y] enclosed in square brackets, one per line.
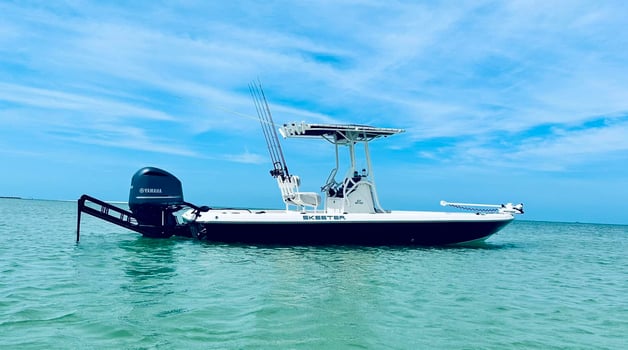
[337, 133]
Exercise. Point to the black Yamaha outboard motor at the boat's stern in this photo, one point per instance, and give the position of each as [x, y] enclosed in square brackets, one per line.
[154, 197]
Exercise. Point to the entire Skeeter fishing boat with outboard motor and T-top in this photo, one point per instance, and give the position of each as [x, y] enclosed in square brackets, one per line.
[346, 210]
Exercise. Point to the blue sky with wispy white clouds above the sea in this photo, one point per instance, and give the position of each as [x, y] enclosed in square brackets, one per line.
[502, 101]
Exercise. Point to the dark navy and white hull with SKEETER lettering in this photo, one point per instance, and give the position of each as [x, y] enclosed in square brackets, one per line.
[277, 227]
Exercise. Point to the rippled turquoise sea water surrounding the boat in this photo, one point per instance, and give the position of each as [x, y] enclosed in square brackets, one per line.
[535, 285]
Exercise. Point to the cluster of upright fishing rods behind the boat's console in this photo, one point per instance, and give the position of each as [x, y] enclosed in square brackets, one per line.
[270, 131]
